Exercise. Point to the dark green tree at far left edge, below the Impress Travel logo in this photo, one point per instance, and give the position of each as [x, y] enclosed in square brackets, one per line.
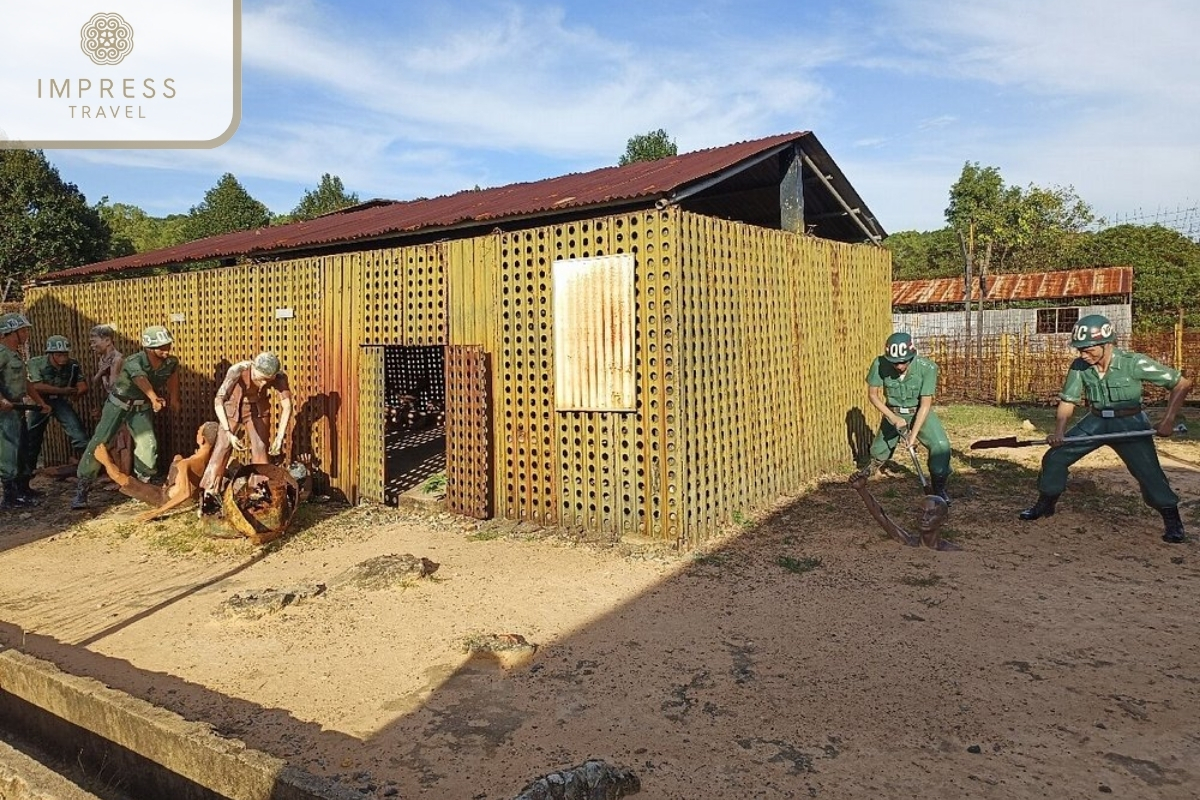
[45, 222]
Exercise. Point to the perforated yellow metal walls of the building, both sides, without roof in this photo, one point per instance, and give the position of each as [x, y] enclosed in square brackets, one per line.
[751, 352]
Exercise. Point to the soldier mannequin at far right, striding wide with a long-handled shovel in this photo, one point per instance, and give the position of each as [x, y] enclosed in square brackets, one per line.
[1111, 381]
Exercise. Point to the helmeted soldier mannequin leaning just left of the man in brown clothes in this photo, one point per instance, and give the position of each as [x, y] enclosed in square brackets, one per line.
[135, 399]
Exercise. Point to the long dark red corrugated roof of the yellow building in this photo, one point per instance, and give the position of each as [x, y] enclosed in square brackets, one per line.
[639, 182]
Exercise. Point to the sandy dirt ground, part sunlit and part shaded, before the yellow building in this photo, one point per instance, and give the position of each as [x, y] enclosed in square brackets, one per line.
[803, 655]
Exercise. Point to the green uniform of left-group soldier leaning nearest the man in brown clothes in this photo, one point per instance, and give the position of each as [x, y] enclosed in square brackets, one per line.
[128, 405]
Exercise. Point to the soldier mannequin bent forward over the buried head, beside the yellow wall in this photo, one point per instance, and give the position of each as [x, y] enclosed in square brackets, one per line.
[902, 387]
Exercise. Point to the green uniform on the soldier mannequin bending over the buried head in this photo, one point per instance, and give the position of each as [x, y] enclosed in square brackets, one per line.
[903, 393]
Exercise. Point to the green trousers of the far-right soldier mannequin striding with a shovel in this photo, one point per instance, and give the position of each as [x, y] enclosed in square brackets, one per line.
[1141, 459]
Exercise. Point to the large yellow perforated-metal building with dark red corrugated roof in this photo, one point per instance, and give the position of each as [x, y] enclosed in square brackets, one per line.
[621, 352]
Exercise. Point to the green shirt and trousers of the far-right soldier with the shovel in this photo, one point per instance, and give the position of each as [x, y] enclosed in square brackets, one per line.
[1115, 401]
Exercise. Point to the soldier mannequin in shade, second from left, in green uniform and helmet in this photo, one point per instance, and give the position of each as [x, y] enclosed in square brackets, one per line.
[58, 378]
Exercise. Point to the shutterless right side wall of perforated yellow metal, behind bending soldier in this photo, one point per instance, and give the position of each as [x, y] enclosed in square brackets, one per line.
[777, 333]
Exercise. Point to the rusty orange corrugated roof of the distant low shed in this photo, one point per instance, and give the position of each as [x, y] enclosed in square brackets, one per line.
[1099, 282]
